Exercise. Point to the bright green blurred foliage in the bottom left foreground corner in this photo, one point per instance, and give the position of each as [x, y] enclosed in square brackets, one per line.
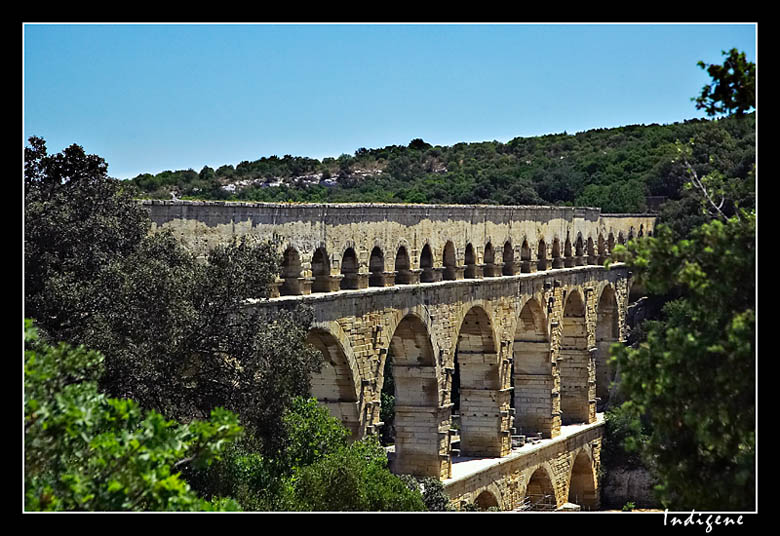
[85, 451]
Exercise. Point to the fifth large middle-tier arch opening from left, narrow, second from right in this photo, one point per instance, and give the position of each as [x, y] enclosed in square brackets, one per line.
[574, 363]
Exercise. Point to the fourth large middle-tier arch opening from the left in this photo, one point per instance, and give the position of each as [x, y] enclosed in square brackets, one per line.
[532, 372]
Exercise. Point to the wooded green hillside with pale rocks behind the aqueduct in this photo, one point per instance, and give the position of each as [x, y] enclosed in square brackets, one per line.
[615, 169]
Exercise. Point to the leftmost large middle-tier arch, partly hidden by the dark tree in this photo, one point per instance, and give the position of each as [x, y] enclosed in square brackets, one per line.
[336, 386]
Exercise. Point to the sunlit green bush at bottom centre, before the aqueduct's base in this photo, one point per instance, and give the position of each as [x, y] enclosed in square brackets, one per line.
[316, 468]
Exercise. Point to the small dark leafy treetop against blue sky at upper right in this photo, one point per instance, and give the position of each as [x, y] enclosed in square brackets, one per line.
[733, 87]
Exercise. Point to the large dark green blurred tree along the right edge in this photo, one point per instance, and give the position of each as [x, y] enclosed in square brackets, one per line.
[693, 379]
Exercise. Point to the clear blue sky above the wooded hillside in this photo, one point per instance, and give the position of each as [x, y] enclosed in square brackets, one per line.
[153, 97]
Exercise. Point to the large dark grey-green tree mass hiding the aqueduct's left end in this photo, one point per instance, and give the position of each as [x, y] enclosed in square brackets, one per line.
[174, 329]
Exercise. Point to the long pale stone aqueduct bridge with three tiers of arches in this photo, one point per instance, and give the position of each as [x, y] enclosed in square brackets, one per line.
[497, 319]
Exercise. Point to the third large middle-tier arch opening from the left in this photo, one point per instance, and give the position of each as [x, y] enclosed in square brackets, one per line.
[480, 398]
